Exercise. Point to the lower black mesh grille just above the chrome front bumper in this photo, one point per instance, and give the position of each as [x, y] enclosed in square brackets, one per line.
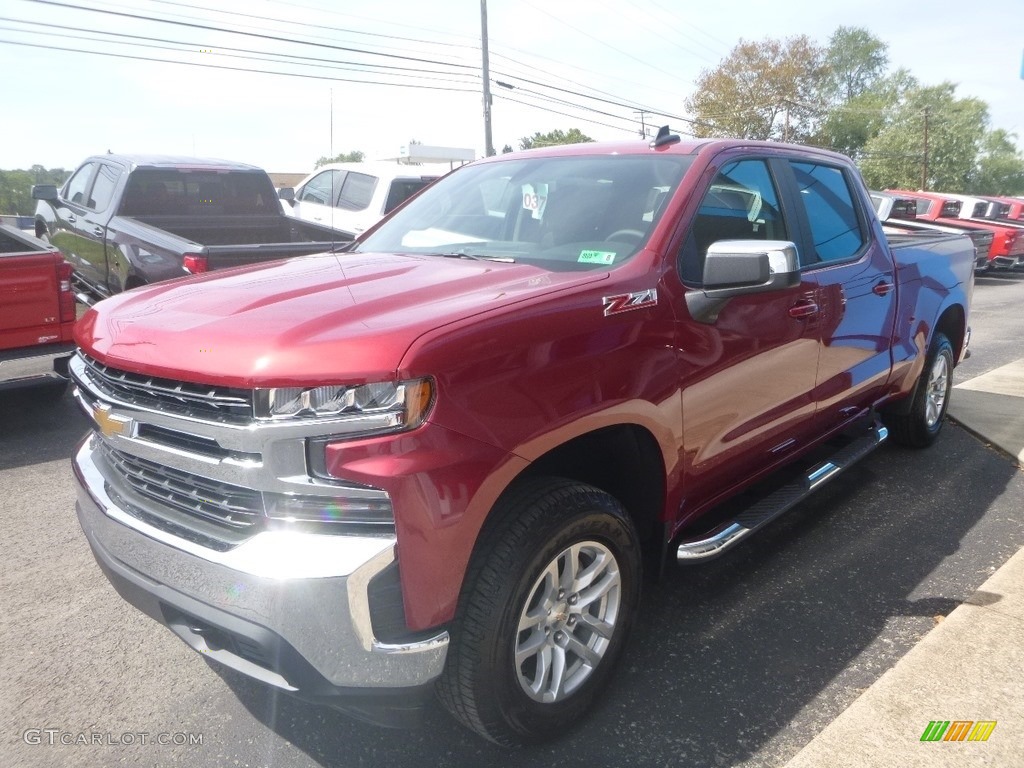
[223, 503]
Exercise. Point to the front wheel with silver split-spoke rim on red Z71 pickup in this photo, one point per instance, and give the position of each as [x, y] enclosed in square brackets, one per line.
[533, 644]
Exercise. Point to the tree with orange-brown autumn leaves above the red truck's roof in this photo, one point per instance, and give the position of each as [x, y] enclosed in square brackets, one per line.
[765, 91]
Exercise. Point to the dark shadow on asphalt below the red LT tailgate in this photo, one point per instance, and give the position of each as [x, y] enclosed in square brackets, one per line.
[38, 425]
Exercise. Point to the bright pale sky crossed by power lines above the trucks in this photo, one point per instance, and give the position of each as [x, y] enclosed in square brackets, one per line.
[281, 84]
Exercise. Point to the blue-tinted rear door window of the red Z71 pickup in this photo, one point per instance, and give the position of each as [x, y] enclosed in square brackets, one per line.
[831, 211]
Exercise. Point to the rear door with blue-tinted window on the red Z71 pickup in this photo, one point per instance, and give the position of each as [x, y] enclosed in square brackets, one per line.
[857, 289]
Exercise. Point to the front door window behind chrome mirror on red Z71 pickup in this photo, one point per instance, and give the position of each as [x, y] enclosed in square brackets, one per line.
[741, 204]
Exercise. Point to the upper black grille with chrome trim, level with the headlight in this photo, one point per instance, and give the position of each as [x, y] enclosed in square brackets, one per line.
[199, 401]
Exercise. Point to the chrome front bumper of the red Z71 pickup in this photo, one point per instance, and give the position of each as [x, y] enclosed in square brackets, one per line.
[290, 610]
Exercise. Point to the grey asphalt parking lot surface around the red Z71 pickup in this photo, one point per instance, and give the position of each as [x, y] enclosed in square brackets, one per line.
[737, 663]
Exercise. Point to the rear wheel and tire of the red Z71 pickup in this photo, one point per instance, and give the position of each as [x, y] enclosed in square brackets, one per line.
[921, 425]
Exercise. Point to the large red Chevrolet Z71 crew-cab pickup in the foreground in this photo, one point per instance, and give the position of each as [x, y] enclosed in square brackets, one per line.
[442, 460]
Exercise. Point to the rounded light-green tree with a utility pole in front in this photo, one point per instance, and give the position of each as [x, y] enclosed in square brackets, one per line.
[897, 157]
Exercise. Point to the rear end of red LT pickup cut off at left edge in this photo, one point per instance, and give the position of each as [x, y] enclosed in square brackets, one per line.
[37, 314]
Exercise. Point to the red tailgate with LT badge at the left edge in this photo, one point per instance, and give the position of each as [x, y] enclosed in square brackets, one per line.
[30, 309]
